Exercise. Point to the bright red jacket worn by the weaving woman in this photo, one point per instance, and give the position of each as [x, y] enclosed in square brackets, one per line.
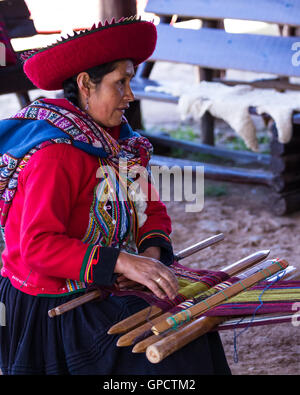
[44, 254]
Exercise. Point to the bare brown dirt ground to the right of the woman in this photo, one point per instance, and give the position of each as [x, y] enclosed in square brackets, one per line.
[243, 215]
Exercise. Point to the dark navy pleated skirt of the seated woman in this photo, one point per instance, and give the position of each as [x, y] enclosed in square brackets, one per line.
[77, 342]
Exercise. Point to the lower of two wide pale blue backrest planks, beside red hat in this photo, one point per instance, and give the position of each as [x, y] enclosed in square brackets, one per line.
[217, 49]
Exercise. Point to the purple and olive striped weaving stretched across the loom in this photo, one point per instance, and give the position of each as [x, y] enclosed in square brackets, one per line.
[196, 285]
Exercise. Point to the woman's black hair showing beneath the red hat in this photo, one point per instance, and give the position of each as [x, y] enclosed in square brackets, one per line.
[96, 75]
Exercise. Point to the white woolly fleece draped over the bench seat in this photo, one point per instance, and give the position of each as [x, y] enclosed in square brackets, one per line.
[231, 103]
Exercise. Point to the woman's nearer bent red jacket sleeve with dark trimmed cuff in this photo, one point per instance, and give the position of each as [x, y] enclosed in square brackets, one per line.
[50, 187]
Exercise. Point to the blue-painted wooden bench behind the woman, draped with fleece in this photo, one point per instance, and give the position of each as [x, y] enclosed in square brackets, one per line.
[213, 51]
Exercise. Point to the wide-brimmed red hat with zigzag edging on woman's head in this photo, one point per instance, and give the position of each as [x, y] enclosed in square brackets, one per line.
[129, 38]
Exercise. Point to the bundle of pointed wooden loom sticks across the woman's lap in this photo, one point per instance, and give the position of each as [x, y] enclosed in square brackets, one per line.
[152, 330]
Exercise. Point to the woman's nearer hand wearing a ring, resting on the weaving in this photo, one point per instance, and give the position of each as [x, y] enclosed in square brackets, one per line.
[147, 271]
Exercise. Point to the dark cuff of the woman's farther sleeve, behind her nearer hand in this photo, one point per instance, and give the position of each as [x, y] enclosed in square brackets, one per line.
[158, 239]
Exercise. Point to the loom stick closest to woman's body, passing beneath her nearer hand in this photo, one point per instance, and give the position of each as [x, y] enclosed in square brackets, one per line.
[89, 296]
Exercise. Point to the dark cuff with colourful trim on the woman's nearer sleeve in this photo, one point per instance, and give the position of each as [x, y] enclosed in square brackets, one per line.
[99, 265]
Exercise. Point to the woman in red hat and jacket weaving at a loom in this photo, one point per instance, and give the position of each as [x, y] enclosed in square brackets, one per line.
[70, 217]
